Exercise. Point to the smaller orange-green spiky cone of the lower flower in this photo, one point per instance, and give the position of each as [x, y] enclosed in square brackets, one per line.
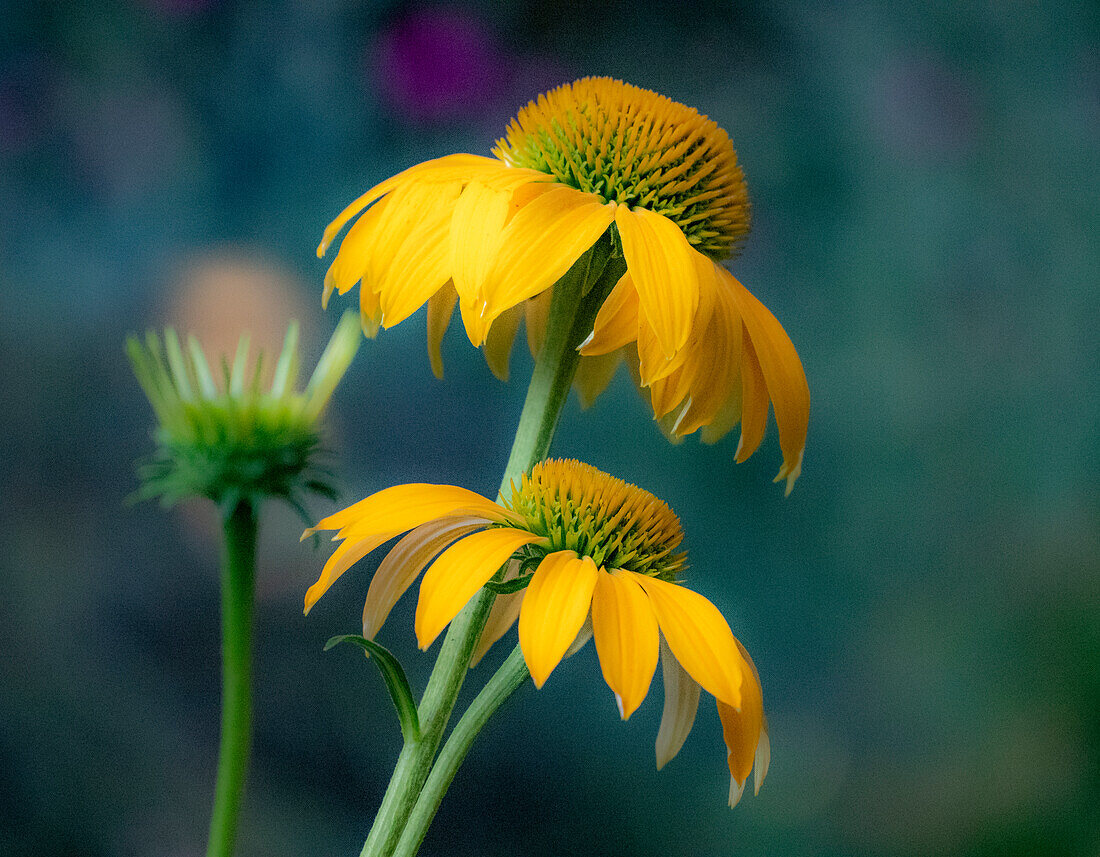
[619, 525]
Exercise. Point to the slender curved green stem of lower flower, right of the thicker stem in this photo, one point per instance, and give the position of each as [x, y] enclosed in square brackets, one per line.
[505, 682]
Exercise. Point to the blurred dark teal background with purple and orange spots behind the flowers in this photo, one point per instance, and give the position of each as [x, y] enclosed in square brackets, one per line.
[925, 609]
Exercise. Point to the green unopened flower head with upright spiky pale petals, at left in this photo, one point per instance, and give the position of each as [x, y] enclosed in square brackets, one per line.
[224, 436]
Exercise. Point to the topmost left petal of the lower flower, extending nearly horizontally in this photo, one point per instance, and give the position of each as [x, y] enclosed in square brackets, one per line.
[402, 508]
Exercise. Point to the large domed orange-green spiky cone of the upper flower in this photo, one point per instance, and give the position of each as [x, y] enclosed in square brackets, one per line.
[640, 149]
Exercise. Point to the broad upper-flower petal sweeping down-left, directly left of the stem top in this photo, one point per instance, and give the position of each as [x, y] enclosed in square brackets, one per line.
[541, 244]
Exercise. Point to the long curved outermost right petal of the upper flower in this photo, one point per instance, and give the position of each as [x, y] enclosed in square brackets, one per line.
[784, 373]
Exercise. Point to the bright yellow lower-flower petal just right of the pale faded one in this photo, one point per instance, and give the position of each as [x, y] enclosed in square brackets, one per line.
[459, 573]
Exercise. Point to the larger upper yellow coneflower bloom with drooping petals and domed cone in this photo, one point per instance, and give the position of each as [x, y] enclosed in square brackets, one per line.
[496, 234]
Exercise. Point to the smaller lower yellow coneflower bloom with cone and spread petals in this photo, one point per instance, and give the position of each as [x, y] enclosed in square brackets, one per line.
[579, 554]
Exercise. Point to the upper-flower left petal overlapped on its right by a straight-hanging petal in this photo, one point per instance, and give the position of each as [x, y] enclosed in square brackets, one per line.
[422, 263]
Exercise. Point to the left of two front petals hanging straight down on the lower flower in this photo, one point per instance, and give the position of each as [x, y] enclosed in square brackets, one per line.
[554, 611]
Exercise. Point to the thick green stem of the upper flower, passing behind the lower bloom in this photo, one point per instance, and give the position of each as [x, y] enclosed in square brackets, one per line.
[577, 300]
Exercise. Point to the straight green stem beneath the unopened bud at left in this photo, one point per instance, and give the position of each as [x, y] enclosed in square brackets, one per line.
[238, 576]
